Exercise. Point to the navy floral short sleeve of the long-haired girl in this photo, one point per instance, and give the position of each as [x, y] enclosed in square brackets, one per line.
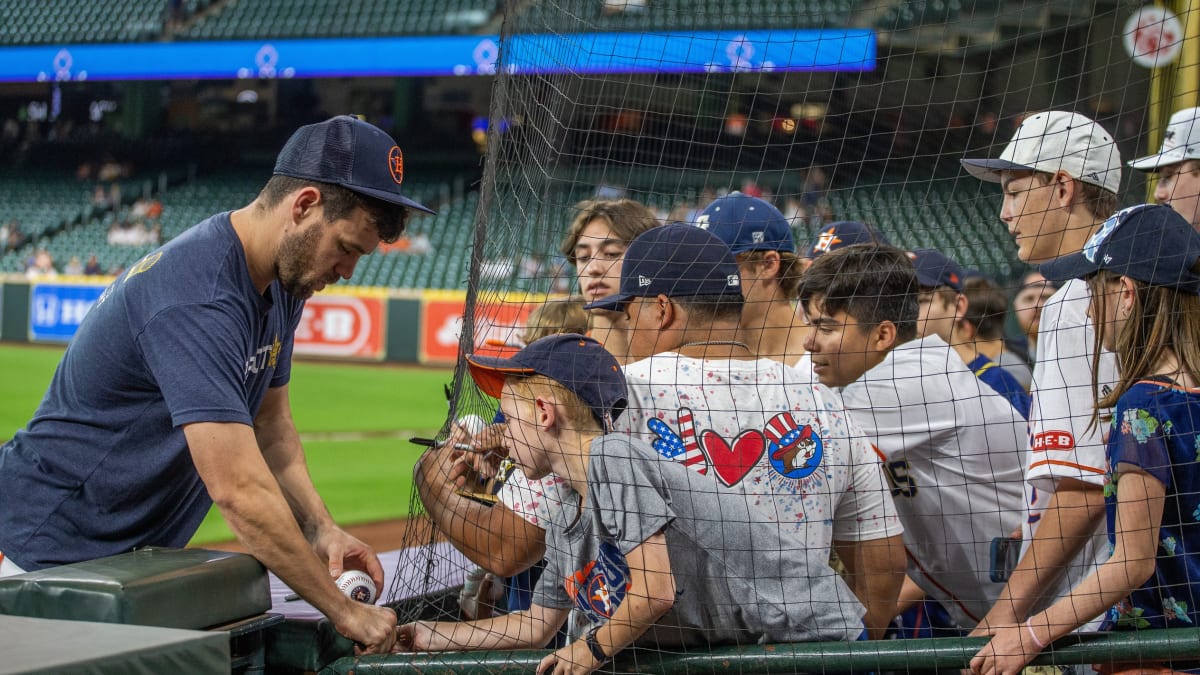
[1139, 435]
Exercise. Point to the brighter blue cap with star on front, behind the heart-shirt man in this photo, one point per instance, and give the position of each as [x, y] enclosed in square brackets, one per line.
[747, 224]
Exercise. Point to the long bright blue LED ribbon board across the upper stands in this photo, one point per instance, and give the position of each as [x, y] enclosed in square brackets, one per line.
[838, 50]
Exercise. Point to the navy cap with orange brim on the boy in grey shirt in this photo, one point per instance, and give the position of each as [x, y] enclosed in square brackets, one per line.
[580, 365]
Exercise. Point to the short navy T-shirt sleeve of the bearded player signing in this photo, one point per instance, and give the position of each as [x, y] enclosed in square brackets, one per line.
[196, 355]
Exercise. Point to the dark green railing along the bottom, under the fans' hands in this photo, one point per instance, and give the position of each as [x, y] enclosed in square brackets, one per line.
[907, 656]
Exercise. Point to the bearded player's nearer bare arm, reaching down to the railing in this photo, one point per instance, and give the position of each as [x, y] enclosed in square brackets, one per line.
[242, 485]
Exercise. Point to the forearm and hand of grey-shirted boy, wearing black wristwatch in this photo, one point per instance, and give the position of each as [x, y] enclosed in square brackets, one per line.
[651, 595]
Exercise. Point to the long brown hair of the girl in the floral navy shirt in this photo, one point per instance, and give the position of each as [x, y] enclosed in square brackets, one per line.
[1162, 322]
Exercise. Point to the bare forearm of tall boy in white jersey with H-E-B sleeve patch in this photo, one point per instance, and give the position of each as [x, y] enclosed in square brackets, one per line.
[1069, 523]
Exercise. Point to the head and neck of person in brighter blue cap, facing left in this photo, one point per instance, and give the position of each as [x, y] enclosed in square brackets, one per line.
[763, 244]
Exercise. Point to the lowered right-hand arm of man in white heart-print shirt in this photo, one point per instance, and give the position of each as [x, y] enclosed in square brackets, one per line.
[875, 571]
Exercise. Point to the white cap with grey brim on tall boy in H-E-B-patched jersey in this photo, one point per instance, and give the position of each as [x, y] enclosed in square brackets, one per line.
[1055, 141]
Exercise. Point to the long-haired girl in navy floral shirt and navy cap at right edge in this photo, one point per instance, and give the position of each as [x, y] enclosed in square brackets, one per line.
[1144, 272]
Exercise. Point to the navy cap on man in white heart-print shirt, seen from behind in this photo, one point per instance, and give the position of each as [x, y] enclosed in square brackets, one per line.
[677, 261]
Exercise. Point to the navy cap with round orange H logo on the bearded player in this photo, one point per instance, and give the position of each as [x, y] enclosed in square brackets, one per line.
[351, 153]
